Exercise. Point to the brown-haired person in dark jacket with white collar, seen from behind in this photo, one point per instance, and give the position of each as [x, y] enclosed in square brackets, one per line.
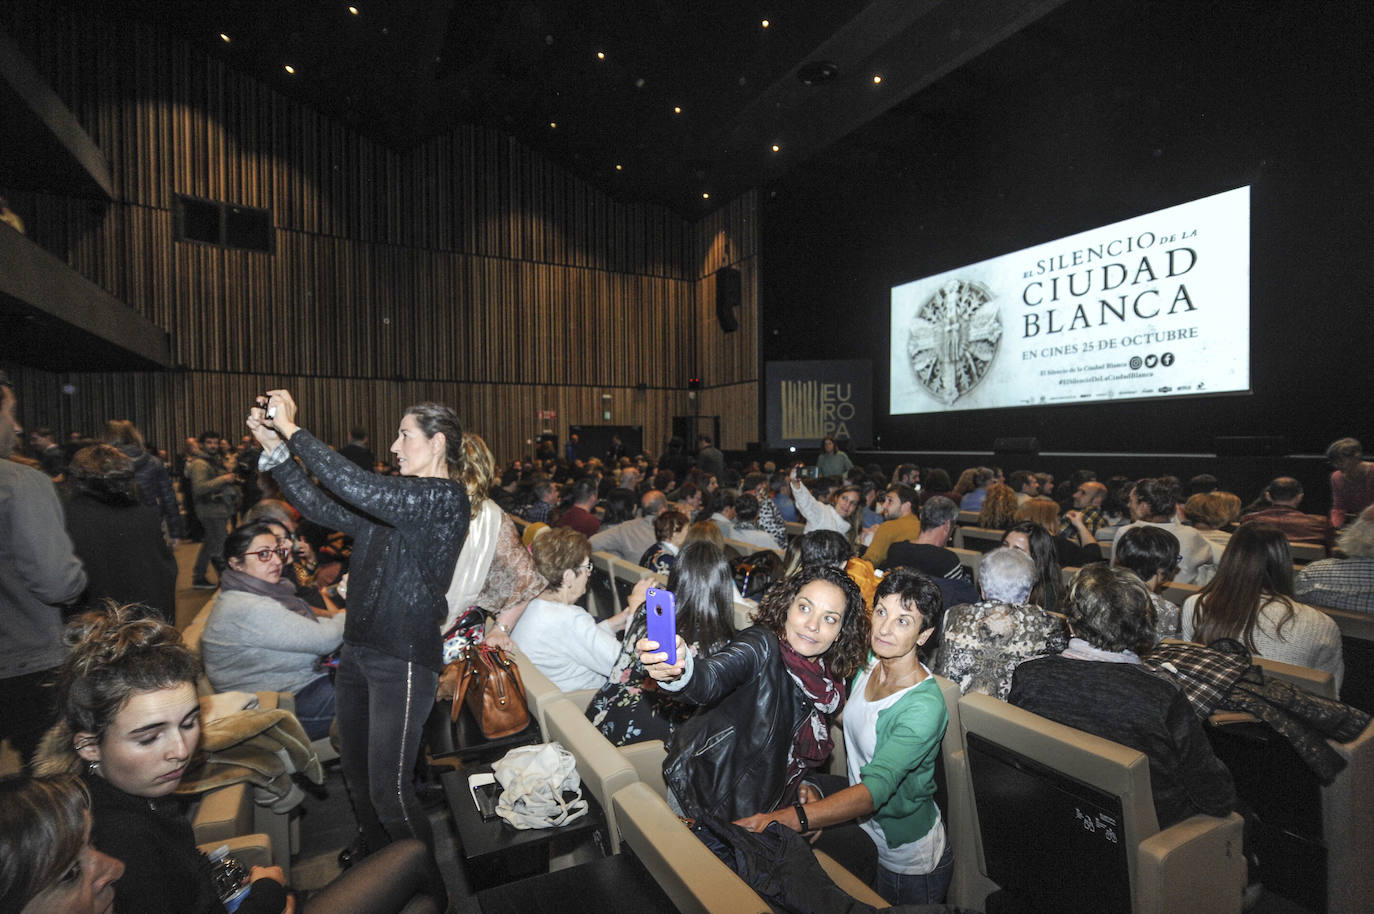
[1100, 687]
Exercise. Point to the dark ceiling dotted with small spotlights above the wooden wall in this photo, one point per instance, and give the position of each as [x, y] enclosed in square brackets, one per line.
[405, 71]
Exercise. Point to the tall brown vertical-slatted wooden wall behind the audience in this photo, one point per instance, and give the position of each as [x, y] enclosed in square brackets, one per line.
[469, 270]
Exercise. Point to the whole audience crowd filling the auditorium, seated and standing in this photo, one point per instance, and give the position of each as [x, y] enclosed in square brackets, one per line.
[351, 583]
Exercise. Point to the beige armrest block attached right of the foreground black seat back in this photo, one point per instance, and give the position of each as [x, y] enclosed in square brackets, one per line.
[1196, 865]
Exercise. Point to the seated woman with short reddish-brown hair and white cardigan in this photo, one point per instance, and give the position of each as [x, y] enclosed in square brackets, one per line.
[564, 641]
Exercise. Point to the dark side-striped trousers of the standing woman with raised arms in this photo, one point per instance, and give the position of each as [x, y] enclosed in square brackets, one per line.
[383, 703]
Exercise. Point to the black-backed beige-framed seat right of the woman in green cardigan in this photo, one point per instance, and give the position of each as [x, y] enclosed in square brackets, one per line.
[1067, 824]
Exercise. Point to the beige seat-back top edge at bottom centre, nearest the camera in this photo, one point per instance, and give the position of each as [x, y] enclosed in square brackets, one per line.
[684, 867]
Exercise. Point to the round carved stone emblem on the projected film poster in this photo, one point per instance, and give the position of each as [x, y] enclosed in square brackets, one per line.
[954, 339]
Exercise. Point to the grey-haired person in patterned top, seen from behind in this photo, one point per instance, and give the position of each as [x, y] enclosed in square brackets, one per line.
[983, 643]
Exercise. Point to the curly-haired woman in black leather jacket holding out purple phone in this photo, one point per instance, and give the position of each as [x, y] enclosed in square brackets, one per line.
[767, 698]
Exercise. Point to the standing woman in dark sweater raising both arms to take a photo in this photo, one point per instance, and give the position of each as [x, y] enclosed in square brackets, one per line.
[407, 534]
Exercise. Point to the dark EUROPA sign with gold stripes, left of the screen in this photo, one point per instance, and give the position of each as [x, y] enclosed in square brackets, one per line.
[811, 401]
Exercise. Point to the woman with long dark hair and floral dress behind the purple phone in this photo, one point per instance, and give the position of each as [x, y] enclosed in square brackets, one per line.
[630, 707]
